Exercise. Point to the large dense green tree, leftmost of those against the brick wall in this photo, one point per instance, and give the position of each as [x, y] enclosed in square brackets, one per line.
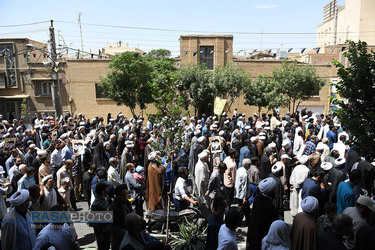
[128, 82]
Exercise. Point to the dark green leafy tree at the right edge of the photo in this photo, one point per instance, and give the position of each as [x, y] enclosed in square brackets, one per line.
[357, 83]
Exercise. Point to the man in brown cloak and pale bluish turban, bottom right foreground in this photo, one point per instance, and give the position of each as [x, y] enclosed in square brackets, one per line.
[304, 231]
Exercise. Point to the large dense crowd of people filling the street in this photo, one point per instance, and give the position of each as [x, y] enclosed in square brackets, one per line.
[239, 170]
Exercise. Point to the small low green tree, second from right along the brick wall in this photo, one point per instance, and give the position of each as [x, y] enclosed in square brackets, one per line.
[263, 93]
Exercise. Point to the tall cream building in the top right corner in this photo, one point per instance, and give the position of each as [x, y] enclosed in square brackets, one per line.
[355, 21]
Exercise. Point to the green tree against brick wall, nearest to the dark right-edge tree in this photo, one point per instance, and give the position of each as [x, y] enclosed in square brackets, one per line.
[297, 83]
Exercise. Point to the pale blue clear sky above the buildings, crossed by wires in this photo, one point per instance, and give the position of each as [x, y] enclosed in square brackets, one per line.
[255, 24]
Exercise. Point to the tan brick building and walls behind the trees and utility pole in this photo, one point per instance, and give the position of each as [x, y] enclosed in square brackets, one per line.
[79, 78]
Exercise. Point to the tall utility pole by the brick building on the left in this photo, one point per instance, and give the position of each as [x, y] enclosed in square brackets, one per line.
[56, 97]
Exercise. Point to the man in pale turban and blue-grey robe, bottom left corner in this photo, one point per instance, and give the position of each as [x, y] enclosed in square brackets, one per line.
[17, 229]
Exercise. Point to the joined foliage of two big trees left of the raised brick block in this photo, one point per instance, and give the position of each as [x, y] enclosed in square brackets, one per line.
[139, 80]
